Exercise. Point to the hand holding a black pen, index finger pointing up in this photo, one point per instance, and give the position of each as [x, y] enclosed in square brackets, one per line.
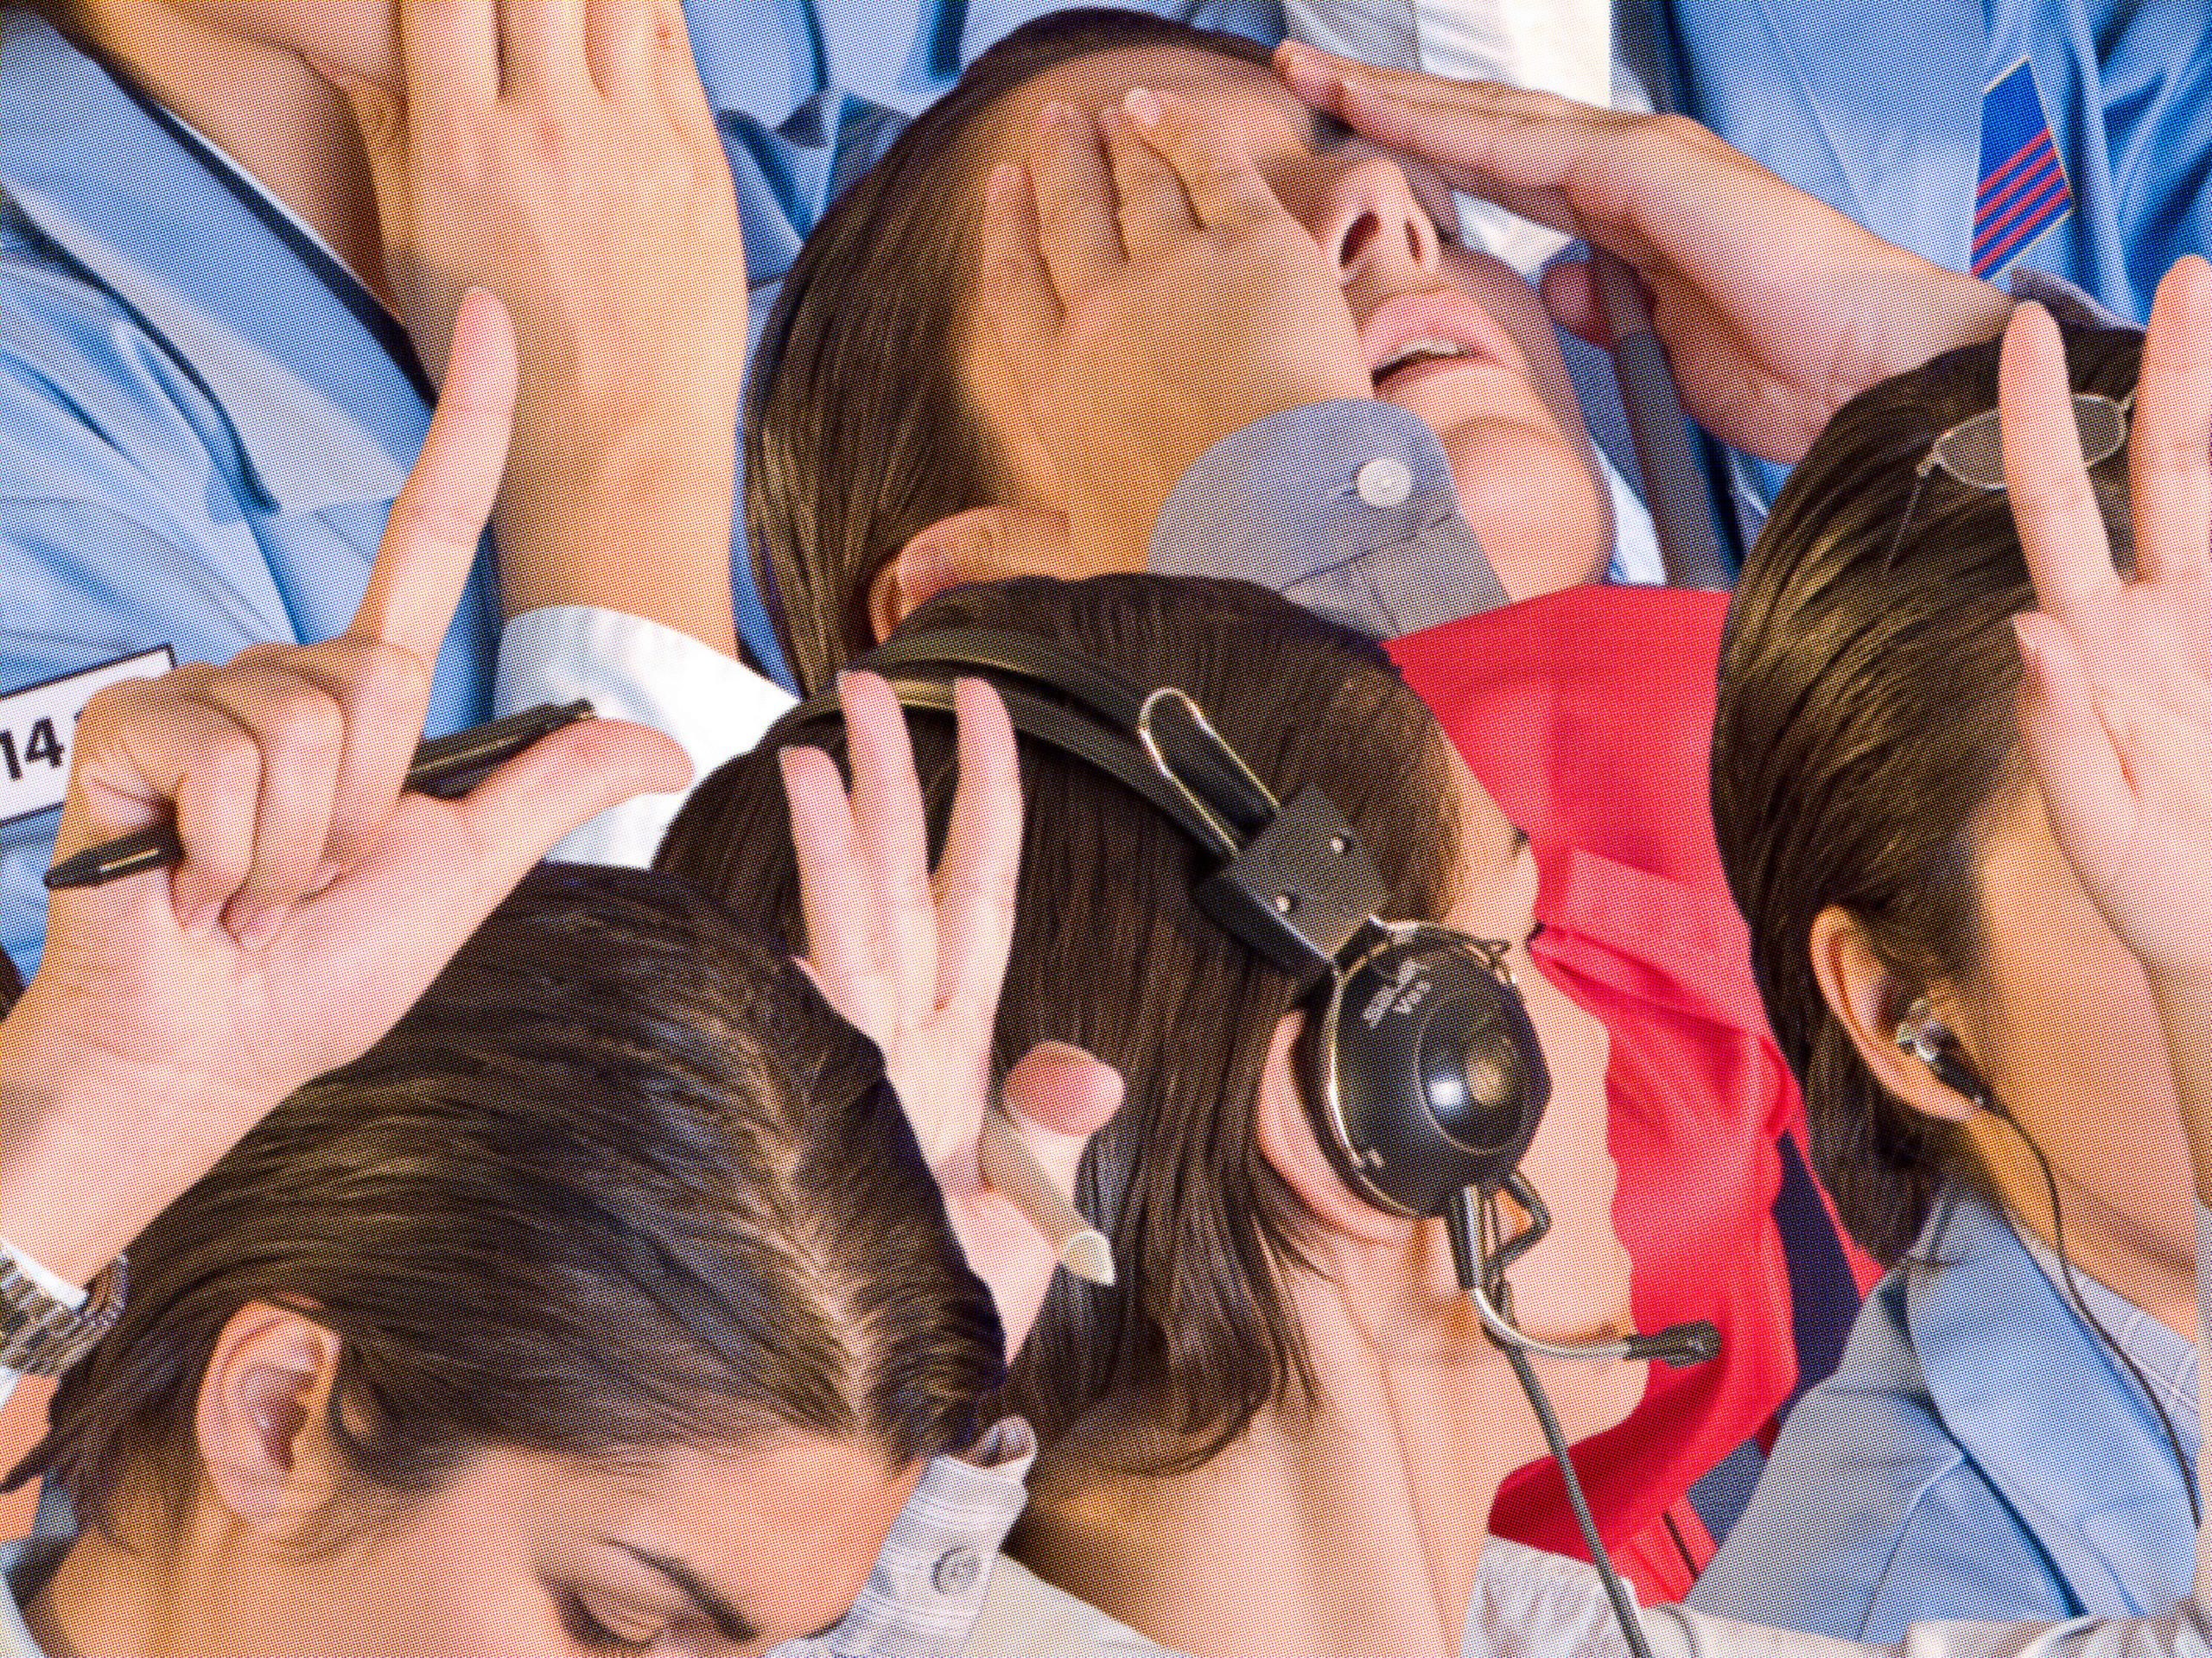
[315, 901]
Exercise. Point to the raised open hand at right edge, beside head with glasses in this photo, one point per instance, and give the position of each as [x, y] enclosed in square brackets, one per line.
[2118, 702]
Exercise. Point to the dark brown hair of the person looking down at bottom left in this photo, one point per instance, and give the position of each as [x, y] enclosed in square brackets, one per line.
[618, 1182]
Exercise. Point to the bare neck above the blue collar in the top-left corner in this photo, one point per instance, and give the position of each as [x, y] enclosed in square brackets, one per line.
[267, 107]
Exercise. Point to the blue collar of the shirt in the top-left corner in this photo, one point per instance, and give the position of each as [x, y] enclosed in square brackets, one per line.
[315, 379]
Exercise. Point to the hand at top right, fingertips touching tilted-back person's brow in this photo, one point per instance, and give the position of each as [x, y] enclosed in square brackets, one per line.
[1773, 306]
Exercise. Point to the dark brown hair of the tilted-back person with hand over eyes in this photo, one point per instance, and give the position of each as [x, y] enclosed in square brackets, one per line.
[859, 430]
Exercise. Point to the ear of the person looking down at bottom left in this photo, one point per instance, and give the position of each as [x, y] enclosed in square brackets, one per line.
[260, 1420]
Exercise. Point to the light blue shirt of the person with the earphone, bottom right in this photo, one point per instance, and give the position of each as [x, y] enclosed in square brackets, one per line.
[1979, 1454]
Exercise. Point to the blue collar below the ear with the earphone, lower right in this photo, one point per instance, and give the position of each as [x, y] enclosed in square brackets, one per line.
[2045, 1409]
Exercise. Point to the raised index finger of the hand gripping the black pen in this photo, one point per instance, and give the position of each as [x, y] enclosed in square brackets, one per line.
[439, 518]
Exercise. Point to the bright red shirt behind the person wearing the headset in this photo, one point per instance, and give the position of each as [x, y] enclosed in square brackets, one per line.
[1589, 720]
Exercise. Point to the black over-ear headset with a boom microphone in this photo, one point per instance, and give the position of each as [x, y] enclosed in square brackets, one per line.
[1421, 1069]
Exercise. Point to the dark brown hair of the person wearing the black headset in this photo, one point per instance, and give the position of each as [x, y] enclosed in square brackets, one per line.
[1112, 954]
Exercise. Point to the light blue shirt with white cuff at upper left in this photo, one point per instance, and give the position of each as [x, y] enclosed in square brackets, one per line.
[207, 421]
